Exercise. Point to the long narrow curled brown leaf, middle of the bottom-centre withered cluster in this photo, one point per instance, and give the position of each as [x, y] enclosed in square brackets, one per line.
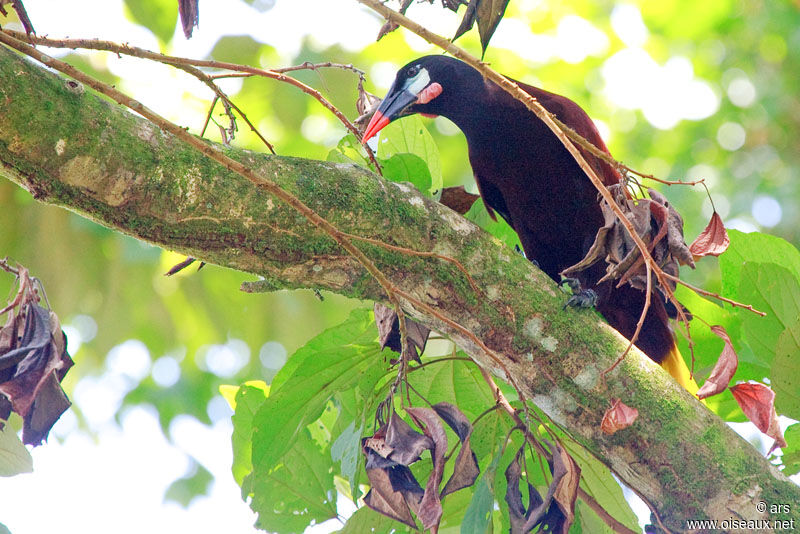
[430, 507]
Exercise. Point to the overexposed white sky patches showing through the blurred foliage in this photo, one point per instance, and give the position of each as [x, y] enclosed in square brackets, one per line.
[115, 479]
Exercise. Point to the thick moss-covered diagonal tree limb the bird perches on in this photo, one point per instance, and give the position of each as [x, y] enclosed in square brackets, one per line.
[71, 148]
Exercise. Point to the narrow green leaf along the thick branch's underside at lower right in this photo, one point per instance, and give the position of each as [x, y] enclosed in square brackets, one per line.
[597, 481]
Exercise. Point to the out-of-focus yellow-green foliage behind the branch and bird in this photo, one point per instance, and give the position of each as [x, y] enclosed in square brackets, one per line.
[89, 271]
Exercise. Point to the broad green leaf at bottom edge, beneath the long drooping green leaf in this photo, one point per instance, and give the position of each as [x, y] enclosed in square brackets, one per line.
[297, 492]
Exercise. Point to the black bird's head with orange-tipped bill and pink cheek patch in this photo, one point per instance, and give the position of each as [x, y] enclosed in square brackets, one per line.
[416, 89]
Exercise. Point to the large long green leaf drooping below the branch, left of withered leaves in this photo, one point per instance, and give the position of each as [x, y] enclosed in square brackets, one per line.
[336, 360]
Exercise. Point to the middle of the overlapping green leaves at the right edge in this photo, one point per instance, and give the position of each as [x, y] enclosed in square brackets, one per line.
[774, 290]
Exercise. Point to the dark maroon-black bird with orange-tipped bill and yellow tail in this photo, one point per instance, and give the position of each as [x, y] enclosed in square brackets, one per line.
[526, 175]
